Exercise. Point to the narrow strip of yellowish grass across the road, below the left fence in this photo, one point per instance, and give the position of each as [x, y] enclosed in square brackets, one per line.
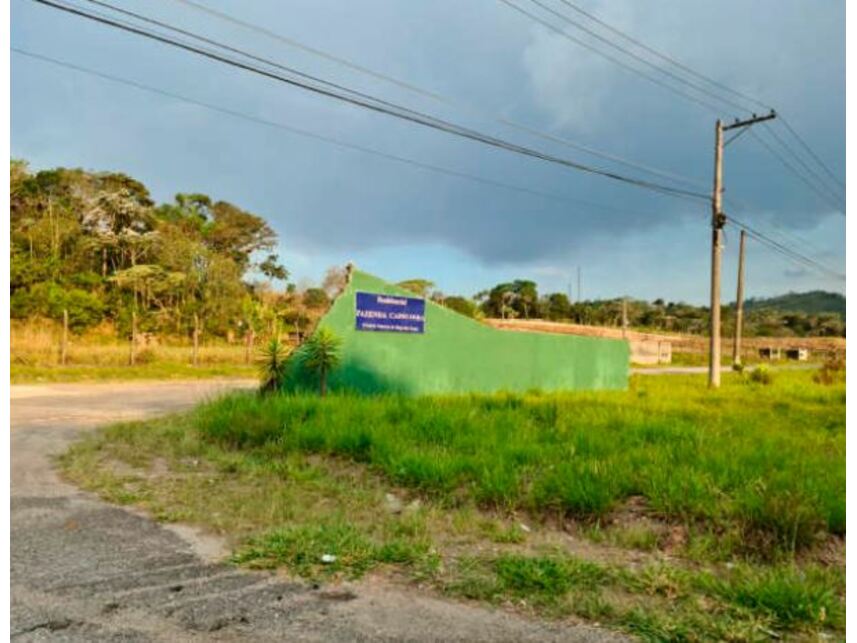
[22, 374]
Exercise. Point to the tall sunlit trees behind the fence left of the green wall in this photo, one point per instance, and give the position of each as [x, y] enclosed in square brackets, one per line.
[95, 244]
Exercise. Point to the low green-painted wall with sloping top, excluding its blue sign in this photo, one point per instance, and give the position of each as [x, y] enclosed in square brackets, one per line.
[457, 355]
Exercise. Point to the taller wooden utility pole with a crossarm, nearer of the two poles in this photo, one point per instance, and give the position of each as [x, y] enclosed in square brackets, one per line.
[718, 220]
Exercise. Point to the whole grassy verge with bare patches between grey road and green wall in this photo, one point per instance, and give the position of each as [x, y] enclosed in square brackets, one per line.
[668, 511]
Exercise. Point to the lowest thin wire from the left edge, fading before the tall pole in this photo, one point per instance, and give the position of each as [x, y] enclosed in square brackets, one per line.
[313, 135]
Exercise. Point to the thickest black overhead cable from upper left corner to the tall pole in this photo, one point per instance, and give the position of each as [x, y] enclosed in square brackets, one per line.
[375, 105]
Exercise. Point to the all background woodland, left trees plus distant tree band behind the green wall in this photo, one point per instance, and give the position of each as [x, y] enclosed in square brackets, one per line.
[95, 244]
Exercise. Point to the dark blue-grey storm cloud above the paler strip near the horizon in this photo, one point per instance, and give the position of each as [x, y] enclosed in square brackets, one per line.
[483, 54]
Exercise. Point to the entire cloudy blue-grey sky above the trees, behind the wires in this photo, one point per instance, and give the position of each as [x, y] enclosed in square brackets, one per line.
[480, 64]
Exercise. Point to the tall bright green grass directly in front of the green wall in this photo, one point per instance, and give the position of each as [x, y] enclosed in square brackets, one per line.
[765, 464]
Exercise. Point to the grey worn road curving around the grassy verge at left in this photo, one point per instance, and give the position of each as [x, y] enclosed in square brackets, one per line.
[83, 570]
